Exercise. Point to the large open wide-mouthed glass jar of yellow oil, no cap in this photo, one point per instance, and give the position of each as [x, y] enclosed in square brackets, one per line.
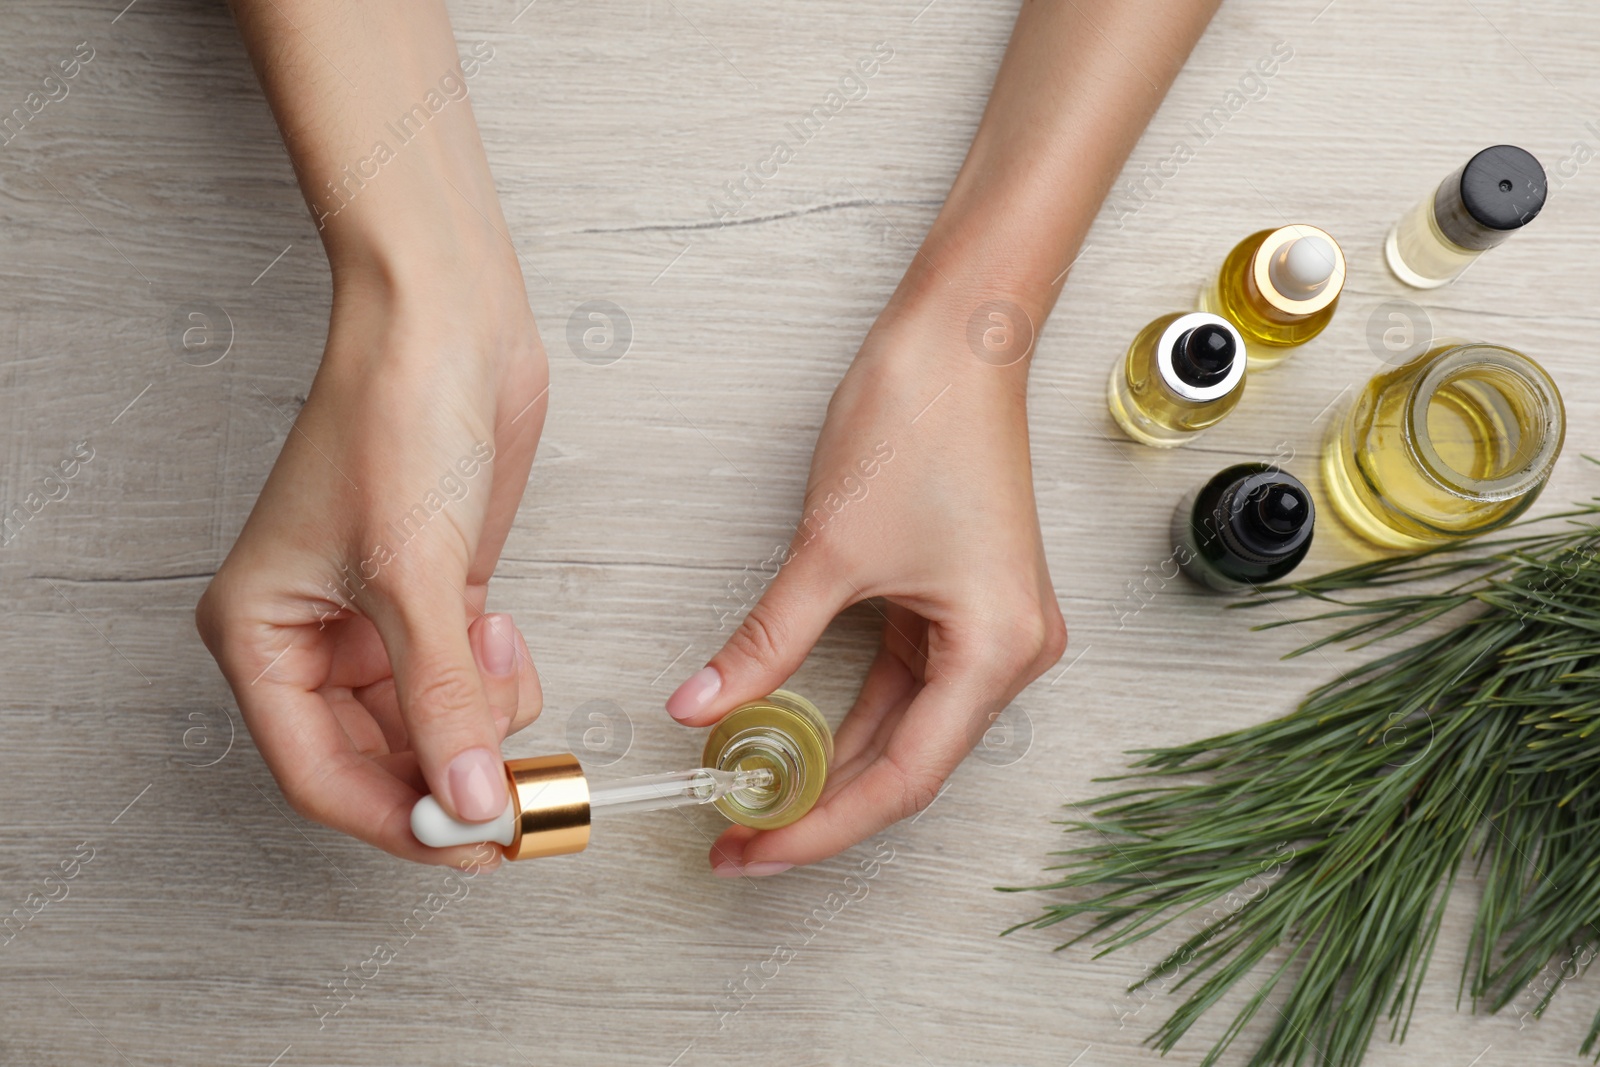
[1450, 446]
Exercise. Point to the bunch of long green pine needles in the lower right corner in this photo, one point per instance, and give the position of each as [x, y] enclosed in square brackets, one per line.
[1337, 833]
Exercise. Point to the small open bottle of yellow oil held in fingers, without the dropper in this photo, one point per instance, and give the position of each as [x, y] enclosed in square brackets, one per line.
[783, 733]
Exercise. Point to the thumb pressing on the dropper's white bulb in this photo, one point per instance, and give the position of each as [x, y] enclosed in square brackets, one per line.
[442, 703]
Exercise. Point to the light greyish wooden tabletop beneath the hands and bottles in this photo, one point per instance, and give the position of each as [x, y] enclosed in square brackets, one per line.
[209, 924]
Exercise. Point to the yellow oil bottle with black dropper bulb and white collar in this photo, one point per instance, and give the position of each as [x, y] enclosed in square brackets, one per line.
[1183, 374]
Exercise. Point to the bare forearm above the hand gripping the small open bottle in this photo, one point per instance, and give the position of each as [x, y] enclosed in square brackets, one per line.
[1079, 82]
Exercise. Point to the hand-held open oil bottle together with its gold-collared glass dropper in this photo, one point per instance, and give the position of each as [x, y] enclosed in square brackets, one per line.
[764, 767]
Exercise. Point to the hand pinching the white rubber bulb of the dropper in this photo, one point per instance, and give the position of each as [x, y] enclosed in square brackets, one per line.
[350, 615]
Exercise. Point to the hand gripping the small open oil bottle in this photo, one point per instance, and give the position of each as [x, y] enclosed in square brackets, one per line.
[922, 498]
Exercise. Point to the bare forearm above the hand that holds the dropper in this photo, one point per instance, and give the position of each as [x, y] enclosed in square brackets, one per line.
[374, 105]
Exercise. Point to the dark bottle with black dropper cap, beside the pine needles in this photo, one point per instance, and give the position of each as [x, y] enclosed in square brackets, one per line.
[1247, 527]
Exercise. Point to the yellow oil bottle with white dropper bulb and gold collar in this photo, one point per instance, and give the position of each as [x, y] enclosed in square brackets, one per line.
[1281, 289]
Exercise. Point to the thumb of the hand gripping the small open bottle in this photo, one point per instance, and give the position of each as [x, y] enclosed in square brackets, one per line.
[769, 647]
